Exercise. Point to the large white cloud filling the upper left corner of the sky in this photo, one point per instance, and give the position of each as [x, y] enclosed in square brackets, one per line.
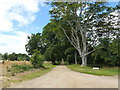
[22, 11]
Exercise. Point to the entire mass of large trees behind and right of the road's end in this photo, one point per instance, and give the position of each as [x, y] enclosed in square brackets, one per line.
[63, 38]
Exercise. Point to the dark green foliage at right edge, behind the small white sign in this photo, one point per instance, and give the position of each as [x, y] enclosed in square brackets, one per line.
[107, 53]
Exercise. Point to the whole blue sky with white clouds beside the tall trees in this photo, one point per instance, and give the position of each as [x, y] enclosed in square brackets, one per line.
[19, 18]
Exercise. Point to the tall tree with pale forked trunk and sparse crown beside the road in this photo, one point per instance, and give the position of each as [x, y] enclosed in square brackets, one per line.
[81, 22]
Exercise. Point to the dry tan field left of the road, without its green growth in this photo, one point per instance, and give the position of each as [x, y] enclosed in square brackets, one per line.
[5, 76]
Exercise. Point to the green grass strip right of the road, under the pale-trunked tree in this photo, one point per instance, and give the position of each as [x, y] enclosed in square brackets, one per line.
[105, 71]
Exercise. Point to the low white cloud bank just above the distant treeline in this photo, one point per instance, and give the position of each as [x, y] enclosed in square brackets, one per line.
[13, 43]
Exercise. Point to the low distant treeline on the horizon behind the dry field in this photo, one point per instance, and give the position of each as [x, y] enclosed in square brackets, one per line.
[15, 57]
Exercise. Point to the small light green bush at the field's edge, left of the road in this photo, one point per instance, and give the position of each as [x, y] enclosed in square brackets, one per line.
[37, 59]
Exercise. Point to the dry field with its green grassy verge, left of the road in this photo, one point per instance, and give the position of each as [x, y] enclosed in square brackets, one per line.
[7, 79]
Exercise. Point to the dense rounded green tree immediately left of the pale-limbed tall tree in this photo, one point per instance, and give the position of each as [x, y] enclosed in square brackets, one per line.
[55, 41]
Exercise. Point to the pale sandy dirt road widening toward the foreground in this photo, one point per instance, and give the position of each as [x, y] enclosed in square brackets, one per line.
[62, 77]
